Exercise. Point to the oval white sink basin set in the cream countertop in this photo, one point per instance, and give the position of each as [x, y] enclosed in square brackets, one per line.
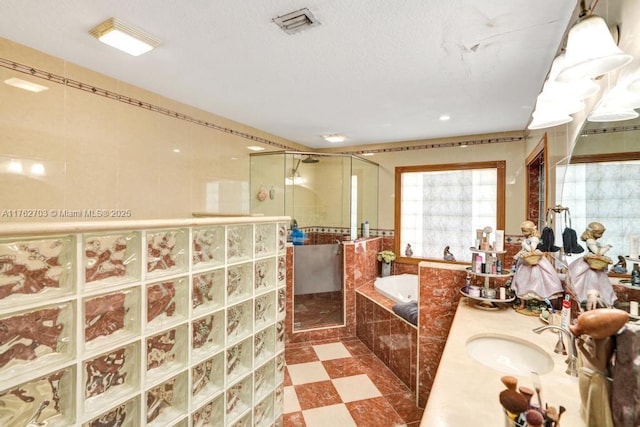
[509, 354]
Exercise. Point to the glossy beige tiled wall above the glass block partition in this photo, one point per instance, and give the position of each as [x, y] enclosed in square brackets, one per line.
[101, 153]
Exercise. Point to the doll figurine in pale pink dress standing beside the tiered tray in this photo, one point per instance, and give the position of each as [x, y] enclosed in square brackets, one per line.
[534, 276]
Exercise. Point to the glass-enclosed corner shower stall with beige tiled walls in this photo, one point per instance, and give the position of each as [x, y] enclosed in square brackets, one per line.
[328, 197]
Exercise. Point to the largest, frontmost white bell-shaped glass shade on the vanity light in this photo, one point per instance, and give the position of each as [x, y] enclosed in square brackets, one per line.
[591, 51]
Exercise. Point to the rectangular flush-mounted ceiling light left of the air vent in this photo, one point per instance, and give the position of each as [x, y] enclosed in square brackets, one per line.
[124, 37]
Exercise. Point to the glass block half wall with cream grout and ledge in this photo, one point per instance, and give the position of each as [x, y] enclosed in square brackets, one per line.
[179, 323]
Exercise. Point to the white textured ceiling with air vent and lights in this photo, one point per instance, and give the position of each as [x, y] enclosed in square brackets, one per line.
[375, 70]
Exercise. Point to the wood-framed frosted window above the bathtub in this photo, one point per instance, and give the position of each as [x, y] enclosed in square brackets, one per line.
[443, 205]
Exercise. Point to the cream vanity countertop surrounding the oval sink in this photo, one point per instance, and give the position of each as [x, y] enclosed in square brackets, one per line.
[466, 392]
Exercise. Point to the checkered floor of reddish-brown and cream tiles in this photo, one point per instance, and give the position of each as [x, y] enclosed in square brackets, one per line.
[343, 384]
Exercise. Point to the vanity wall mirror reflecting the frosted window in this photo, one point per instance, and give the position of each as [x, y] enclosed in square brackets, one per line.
[601, 182]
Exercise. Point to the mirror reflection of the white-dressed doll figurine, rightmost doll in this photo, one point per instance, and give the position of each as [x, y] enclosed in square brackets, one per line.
[591, 272]
